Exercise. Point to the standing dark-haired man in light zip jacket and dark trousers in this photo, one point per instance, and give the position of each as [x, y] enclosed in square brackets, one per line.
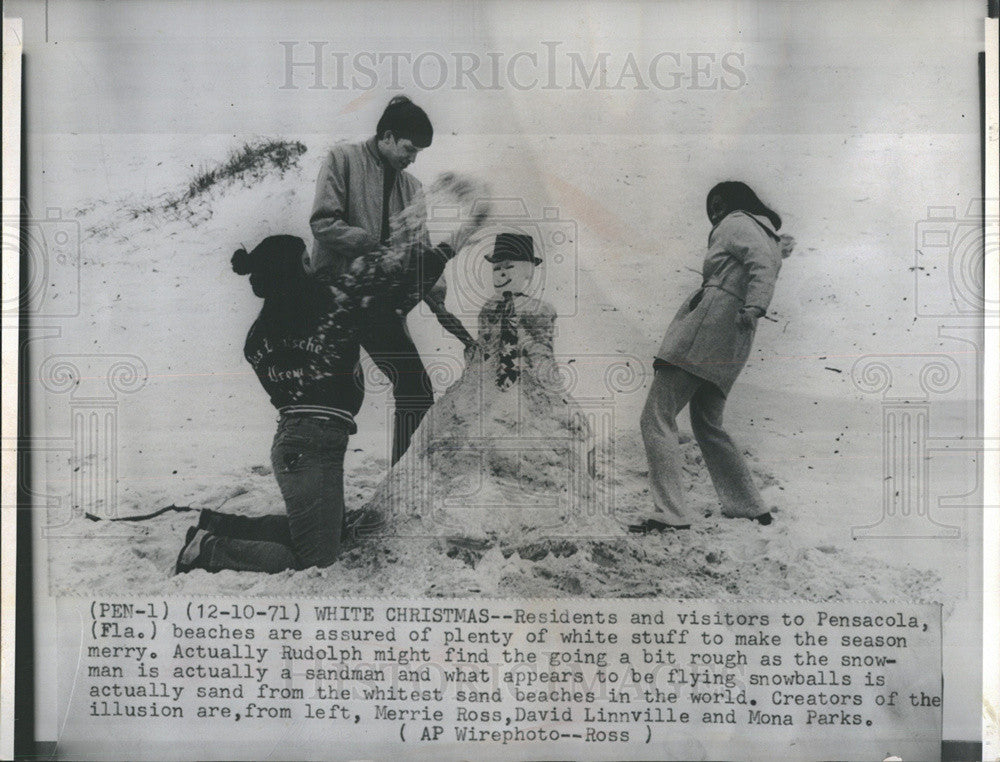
[360, 187]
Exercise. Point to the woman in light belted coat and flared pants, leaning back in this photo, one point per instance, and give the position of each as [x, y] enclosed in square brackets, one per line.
[706, 347]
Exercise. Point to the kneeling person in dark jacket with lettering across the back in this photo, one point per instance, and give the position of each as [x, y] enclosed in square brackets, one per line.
[304, 347]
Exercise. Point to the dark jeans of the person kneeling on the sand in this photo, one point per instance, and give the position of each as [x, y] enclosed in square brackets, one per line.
[308, 461]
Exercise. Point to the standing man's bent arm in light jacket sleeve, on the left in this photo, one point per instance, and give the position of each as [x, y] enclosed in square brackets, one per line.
[329, 212]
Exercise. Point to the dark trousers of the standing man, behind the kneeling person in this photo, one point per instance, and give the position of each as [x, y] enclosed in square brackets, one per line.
[388, 342]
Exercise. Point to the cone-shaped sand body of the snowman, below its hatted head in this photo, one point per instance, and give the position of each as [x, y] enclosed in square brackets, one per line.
[505, 456]
